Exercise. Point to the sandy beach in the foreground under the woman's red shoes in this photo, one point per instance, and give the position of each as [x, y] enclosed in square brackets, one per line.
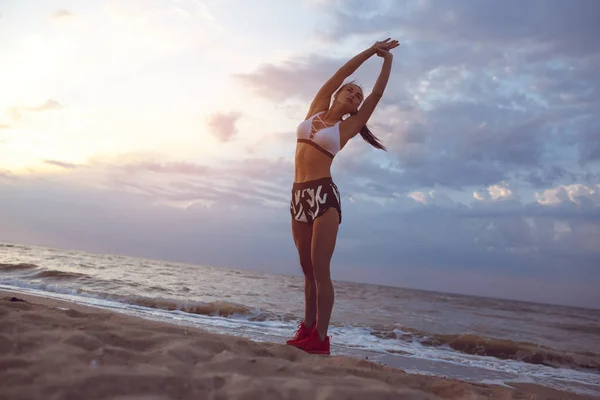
[51, 349]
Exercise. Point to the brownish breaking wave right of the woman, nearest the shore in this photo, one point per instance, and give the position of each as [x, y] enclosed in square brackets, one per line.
[530, 353]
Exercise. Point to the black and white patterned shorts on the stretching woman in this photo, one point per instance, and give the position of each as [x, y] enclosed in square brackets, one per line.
[311, 199]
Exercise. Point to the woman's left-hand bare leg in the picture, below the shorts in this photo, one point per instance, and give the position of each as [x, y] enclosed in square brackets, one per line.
[302, 233]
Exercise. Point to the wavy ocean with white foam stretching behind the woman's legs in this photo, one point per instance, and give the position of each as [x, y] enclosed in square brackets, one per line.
[476, 339]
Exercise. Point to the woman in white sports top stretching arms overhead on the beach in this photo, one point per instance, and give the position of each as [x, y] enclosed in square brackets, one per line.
[315, 205]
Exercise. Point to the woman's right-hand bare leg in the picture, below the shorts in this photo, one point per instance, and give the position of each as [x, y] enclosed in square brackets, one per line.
[324, 236]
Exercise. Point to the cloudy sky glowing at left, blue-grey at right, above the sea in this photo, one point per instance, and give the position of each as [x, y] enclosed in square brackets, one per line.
[166, 129]
